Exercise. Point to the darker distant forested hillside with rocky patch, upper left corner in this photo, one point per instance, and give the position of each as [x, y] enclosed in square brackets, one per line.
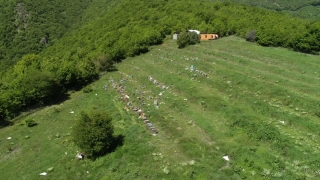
[29, 26]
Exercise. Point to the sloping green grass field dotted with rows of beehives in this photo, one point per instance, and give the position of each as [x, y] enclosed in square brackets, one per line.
[258, 106]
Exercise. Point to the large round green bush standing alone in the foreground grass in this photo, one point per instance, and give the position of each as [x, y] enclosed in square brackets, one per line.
[93, 133]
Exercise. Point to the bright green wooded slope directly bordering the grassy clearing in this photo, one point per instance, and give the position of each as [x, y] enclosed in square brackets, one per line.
[76, 59]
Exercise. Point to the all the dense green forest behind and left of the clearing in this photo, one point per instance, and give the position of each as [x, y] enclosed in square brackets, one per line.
[47, 48]
